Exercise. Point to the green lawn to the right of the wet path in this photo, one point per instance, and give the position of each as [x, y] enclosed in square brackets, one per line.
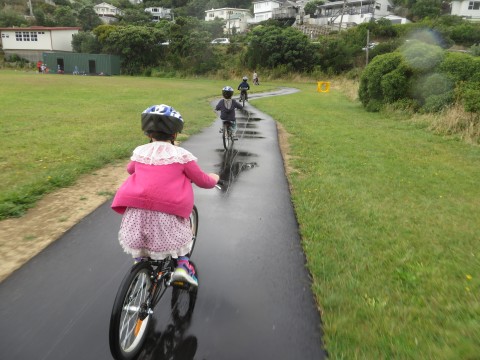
[389, 215]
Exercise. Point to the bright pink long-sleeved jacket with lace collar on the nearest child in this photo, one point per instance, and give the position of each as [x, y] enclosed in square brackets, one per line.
[162, 184]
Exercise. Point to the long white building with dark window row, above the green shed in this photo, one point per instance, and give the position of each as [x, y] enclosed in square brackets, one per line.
[30, 42]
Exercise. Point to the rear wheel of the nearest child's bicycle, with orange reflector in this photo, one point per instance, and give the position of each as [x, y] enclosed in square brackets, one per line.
[128, 332]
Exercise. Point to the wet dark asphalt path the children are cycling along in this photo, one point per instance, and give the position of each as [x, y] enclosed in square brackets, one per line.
[254, 299]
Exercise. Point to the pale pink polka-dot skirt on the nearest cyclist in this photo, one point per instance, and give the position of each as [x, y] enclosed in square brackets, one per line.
[154, 234]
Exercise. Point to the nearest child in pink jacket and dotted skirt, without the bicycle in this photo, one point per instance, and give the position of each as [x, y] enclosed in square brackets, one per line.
[157, 198]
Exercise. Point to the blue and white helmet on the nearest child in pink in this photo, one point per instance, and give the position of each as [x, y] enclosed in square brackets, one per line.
[161, 118]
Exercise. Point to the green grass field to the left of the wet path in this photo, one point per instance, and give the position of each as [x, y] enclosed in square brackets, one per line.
[55, 127]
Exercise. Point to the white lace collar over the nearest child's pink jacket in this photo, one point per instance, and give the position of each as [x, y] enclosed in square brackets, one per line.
[161, 153]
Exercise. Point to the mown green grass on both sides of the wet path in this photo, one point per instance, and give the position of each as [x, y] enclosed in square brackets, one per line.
[388, 212]
